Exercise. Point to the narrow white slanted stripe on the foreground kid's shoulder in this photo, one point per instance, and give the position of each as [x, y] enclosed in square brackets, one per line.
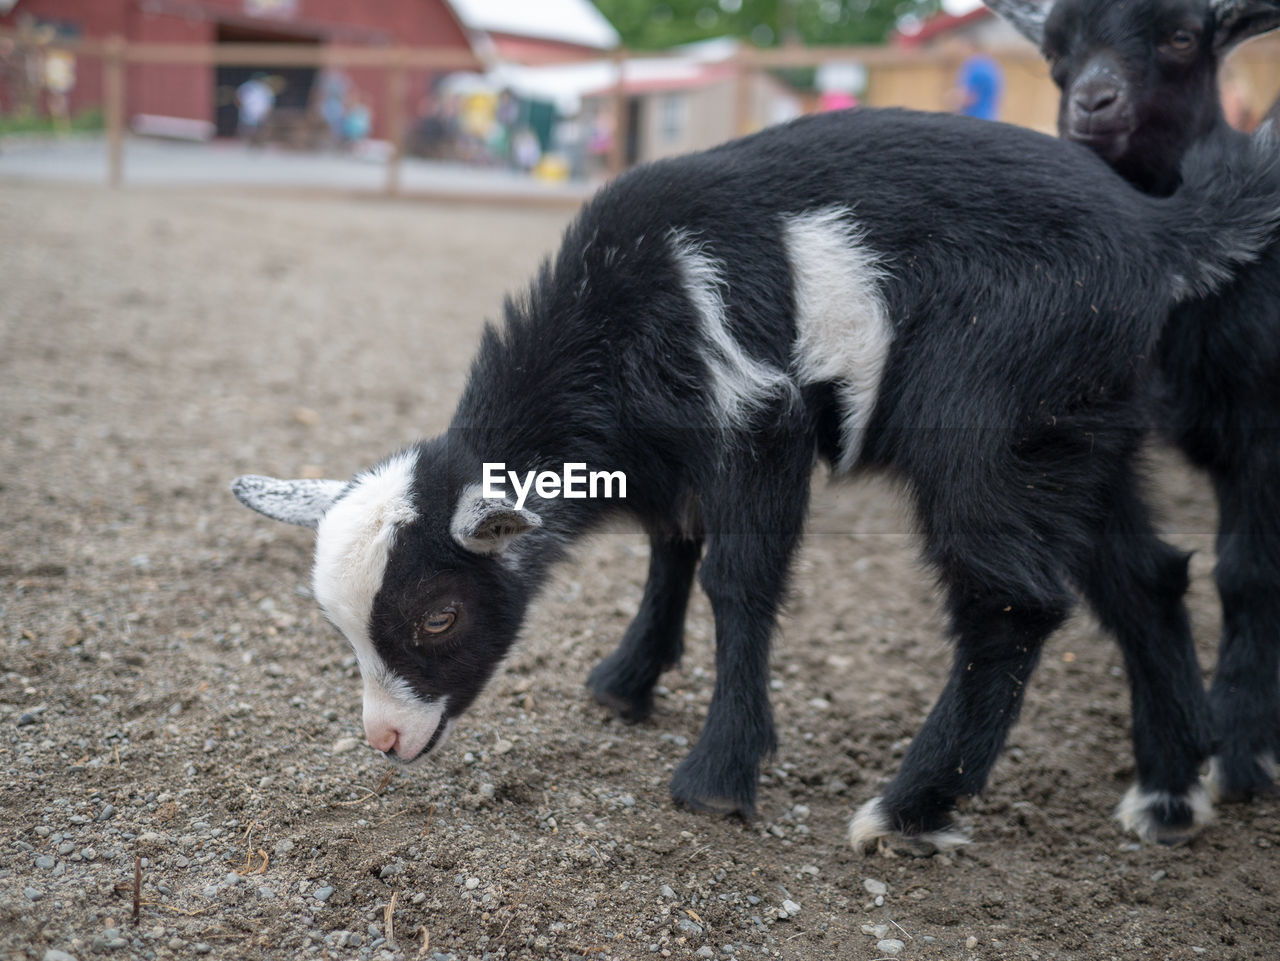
[740, 383]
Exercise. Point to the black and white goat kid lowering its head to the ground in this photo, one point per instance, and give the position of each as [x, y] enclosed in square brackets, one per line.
[889, 291]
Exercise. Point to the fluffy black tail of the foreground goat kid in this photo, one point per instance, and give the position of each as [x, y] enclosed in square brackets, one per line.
[1226, 213]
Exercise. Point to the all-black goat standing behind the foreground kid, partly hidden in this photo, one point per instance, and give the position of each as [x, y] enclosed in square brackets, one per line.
[1140, 86]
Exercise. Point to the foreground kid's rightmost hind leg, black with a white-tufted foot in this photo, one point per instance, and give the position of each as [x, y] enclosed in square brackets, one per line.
[1135, 584]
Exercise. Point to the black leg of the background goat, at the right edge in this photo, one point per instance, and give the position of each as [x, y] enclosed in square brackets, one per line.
[1246, 690]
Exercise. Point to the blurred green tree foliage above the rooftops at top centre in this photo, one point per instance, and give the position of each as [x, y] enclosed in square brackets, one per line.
[651, 25]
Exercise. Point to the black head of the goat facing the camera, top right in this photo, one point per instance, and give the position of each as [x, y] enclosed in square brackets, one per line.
[1140, 79]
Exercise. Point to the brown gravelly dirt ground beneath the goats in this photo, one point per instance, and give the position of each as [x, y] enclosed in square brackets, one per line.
[172, 702]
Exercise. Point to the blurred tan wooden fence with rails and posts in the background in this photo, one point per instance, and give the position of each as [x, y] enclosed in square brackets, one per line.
[897, 77]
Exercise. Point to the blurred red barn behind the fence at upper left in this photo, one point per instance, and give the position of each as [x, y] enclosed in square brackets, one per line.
[207, 94]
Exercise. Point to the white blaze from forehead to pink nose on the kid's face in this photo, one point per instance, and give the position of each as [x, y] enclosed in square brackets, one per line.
[354, 541]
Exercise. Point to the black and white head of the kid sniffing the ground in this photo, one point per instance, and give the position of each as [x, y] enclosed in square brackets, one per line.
[420, 582]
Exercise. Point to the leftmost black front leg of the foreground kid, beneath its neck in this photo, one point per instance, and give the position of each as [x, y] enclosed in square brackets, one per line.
[653, 643]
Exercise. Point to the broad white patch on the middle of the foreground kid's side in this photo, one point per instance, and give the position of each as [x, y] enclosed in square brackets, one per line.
[843, 331]
